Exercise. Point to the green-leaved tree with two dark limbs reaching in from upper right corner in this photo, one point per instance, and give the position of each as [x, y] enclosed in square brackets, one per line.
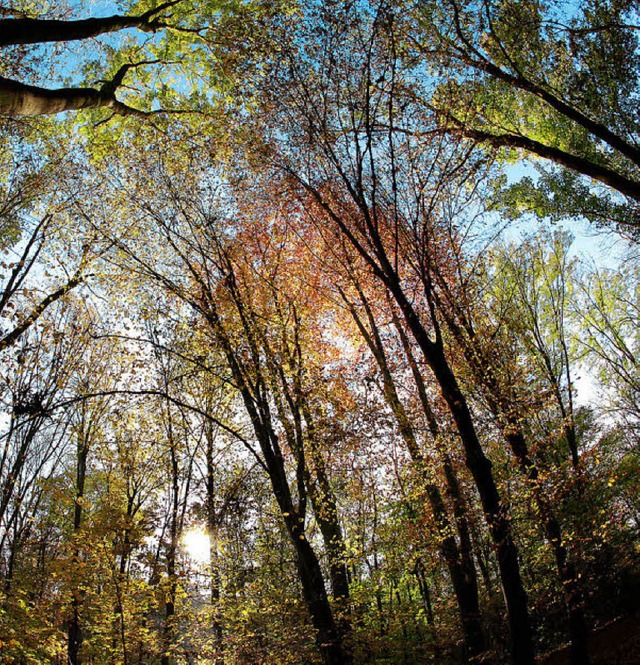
[553, 80]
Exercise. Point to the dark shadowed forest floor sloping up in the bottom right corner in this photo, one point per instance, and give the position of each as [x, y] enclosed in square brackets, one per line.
[617, 643]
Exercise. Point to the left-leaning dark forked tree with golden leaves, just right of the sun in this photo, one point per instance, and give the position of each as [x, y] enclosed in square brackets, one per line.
[209, 281]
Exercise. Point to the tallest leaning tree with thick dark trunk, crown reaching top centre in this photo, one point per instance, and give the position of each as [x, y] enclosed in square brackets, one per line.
[356, 191]
